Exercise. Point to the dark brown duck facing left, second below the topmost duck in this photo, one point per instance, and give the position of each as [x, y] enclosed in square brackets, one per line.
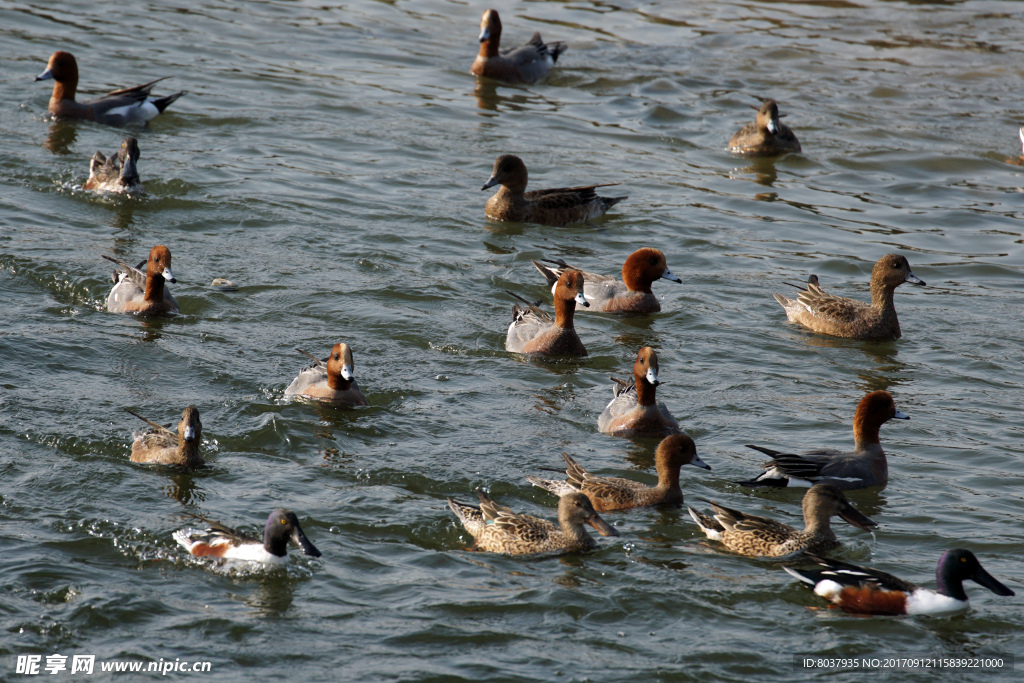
[561, 206]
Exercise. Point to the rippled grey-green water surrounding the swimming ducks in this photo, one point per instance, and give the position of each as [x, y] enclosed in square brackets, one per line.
[329, 158]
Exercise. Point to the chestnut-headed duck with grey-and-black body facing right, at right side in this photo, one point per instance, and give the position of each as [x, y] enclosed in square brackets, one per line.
[865, 466]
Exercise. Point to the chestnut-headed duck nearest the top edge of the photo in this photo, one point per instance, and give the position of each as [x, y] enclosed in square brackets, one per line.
[529, 64]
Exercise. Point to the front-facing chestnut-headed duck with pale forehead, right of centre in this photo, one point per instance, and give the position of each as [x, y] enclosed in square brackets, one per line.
[635, 411]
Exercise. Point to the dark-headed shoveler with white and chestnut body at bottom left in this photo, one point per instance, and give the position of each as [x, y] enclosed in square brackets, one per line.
[220, 541]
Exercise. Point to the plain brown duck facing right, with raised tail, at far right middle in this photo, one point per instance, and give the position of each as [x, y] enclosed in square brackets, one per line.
[840, 317]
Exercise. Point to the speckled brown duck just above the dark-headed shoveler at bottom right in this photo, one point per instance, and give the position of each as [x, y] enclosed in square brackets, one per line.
[759, 537]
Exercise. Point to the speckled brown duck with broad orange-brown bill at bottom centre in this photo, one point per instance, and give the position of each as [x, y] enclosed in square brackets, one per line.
[499, 530]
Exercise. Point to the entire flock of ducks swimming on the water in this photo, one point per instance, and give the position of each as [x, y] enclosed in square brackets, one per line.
[634, 410]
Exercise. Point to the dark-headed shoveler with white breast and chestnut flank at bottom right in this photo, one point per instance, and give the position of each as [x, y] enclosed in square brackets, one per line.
[866, 591]
